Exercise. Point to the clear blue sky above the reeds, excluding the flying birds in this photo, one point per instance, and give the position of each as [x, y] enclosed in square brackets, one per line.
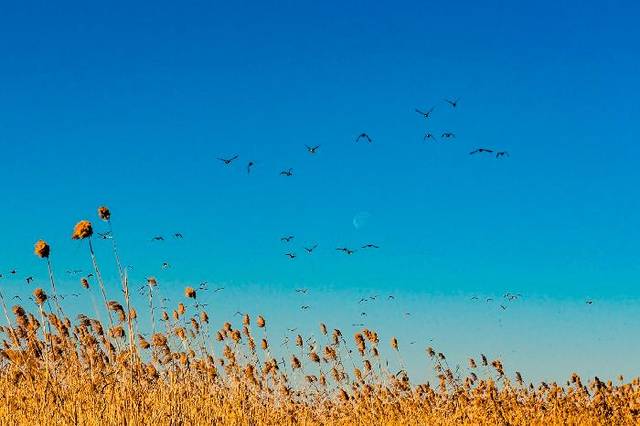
[129, 105]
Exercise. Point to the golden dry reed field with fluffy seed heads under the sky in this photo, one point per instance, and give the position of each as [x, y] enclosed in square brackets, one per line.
[55, 370]
